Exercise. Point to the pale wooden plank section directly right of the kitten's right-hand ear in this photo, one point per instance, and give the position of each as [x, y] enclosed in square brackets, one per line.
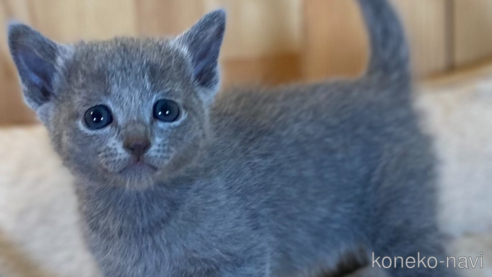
[259, 28]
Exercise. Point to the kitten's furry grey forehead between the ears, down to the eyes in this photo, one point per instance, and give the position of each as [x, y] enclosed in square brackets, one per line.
[127, 73]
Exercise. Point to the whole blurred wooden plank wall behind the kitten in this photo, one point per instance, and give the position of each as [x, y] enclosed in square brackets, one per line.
[267, 42]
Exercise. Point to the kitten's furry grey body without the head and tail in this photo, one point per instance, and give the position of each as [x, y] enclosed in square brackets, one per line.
[300, 189]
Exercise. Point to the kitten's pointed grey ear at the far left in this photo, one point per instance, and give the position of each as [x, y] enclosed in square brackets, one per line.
[36, 59]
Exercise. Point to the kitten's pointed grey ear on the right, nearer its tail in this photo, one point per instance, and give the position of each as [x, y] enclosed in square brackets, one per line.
[203, 42]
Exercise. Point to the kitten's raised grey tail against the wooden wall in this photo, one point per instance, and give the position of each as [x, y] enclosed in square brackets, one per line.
[389, 49]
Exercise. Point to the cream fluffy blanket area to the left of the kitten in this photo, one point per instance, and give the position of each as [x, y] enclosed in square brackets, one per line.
[39, 223]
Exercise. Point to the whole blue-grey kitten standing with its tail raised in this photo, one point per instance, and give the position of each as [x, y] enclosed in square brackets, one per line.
[176, 181]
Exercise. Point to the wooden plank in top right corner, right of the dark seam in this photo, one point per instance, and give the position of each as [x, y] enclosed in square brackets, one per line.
[473, 35]
